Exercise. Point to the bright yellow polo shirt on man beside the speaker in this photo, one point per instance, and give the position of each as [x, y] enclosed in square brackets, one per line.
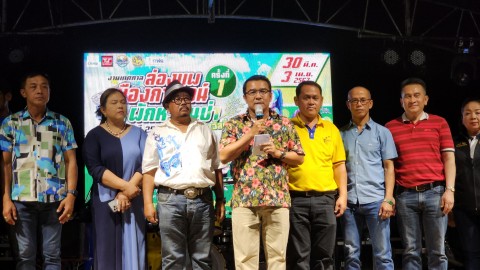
[321, 152]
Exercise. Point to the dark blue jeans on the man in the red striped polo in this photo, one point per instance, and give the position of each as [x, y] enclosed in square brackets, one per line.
[417, 211]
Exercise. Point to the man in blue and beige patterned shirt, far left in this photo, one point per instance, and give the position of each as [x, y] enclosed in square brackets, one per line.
[40, 174]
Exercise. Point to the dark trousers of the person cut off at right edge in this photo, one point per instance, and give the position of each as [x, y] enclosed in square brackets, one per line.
[468, 227]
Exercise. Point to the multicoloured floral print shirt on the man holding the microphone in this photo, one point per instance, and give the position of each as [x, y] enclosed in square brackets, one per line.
[261, 180]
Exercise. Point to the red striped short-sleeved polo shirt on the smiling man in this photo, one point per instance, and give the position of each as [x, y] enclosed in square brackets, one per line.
[419, 148]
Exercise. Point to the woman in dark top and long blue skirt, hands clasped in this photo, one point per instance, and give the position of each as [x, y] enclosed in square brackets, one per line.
[113, 155]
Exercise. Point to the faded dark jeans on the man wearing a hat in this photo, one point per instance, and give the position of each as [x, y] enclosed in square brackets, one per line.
[186, 230]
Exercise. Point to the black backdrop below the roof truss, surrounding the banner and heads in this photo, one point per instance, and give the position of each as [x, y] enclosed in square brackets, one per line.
[355, 61]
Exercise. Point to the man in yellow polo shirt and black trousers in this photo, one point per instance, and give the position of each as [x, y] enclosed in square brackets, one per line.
[314, 185]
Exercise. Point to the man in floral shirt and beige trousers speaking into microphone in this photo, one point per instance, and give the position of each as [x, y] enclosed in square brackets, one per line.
[260, 198]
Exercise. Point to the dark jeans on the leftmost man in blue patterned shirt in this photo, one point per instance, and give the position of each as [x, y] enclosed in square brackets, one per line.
[32, 216]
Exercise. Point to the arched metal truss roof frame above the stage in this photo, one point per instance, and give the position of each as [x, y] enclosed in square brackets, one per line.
[437, 23]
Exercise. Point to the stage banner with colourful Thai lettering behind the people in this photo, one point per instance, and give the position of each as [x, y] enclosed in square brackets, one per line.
[216, 77]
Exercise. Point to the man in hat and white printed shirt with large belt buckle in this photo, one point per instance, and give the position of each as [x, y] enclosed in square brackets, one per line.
[181, 161]
